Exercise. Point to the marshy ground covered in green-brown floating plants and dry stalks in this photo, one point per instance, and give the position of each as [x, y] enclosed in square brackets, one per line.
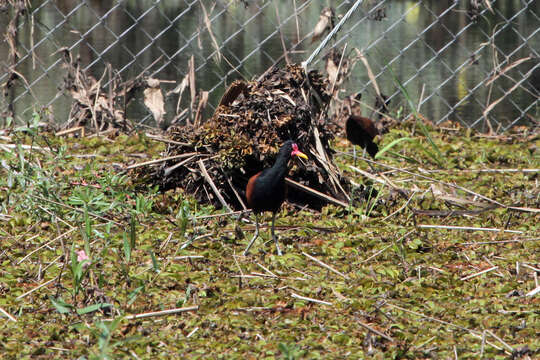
[424, 292]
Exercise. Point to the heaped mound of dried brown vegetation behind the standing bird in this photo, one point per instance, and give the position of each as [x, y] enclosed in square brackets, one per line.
[215, 160]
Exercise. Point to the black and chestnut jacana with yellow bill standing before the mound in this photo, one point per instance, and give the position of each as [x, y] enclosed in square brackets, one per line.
[265, 190]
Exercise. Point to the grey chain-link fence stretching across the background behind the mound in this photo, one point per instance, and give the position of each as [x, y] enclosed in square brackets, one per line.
[473, 61]
